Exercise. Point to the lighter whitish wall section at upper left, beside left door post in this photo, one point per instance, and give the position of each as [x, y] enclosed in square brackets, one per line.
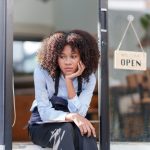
[33, 17]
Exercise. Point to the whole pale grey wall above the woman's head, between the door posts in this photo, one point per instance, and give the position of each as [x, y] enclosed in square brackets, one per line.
[39, 18]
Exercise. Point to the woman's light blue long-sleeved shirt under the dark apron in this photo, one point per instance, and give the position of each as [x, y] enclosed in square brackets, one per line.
[44, 89]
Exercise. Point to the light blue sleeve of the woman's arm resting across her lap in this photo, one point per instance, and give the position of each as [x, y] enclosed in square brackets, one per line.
[47, 113]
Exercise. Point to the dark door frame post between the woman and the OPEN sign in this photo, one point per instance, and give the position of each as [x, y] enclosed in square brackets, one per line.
[104, 97]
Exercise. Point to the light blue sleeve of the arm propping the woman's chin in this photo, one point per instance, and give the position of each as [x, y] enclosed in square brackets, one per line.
[80, 104]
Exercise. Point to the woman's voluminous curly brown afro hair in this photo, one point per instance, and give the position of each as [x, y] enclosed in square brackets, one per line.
[53, 45]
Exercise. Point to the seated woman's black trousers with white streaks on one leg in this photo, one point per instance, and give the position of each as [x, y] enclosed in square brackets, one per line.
[61, 136]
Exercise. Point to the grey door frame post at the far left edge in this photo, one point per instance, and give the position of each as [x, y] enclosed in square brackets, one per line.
[6, 61]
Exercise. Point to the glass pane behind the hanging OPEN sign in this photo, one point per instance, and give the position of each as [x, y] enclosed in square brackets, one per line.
[129, 90]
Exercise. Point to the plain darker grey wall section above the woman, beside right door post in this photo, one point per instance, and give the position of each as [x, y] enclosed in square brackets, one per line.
[72, 14]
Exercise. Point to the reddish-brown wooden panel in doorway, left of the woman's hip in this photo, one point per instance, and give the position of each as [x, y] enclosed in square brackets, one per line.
[23, 104]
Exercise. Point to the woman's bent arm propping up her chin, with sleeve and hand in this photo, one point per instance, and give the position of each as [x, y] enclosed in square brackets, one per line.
[79, 104]
